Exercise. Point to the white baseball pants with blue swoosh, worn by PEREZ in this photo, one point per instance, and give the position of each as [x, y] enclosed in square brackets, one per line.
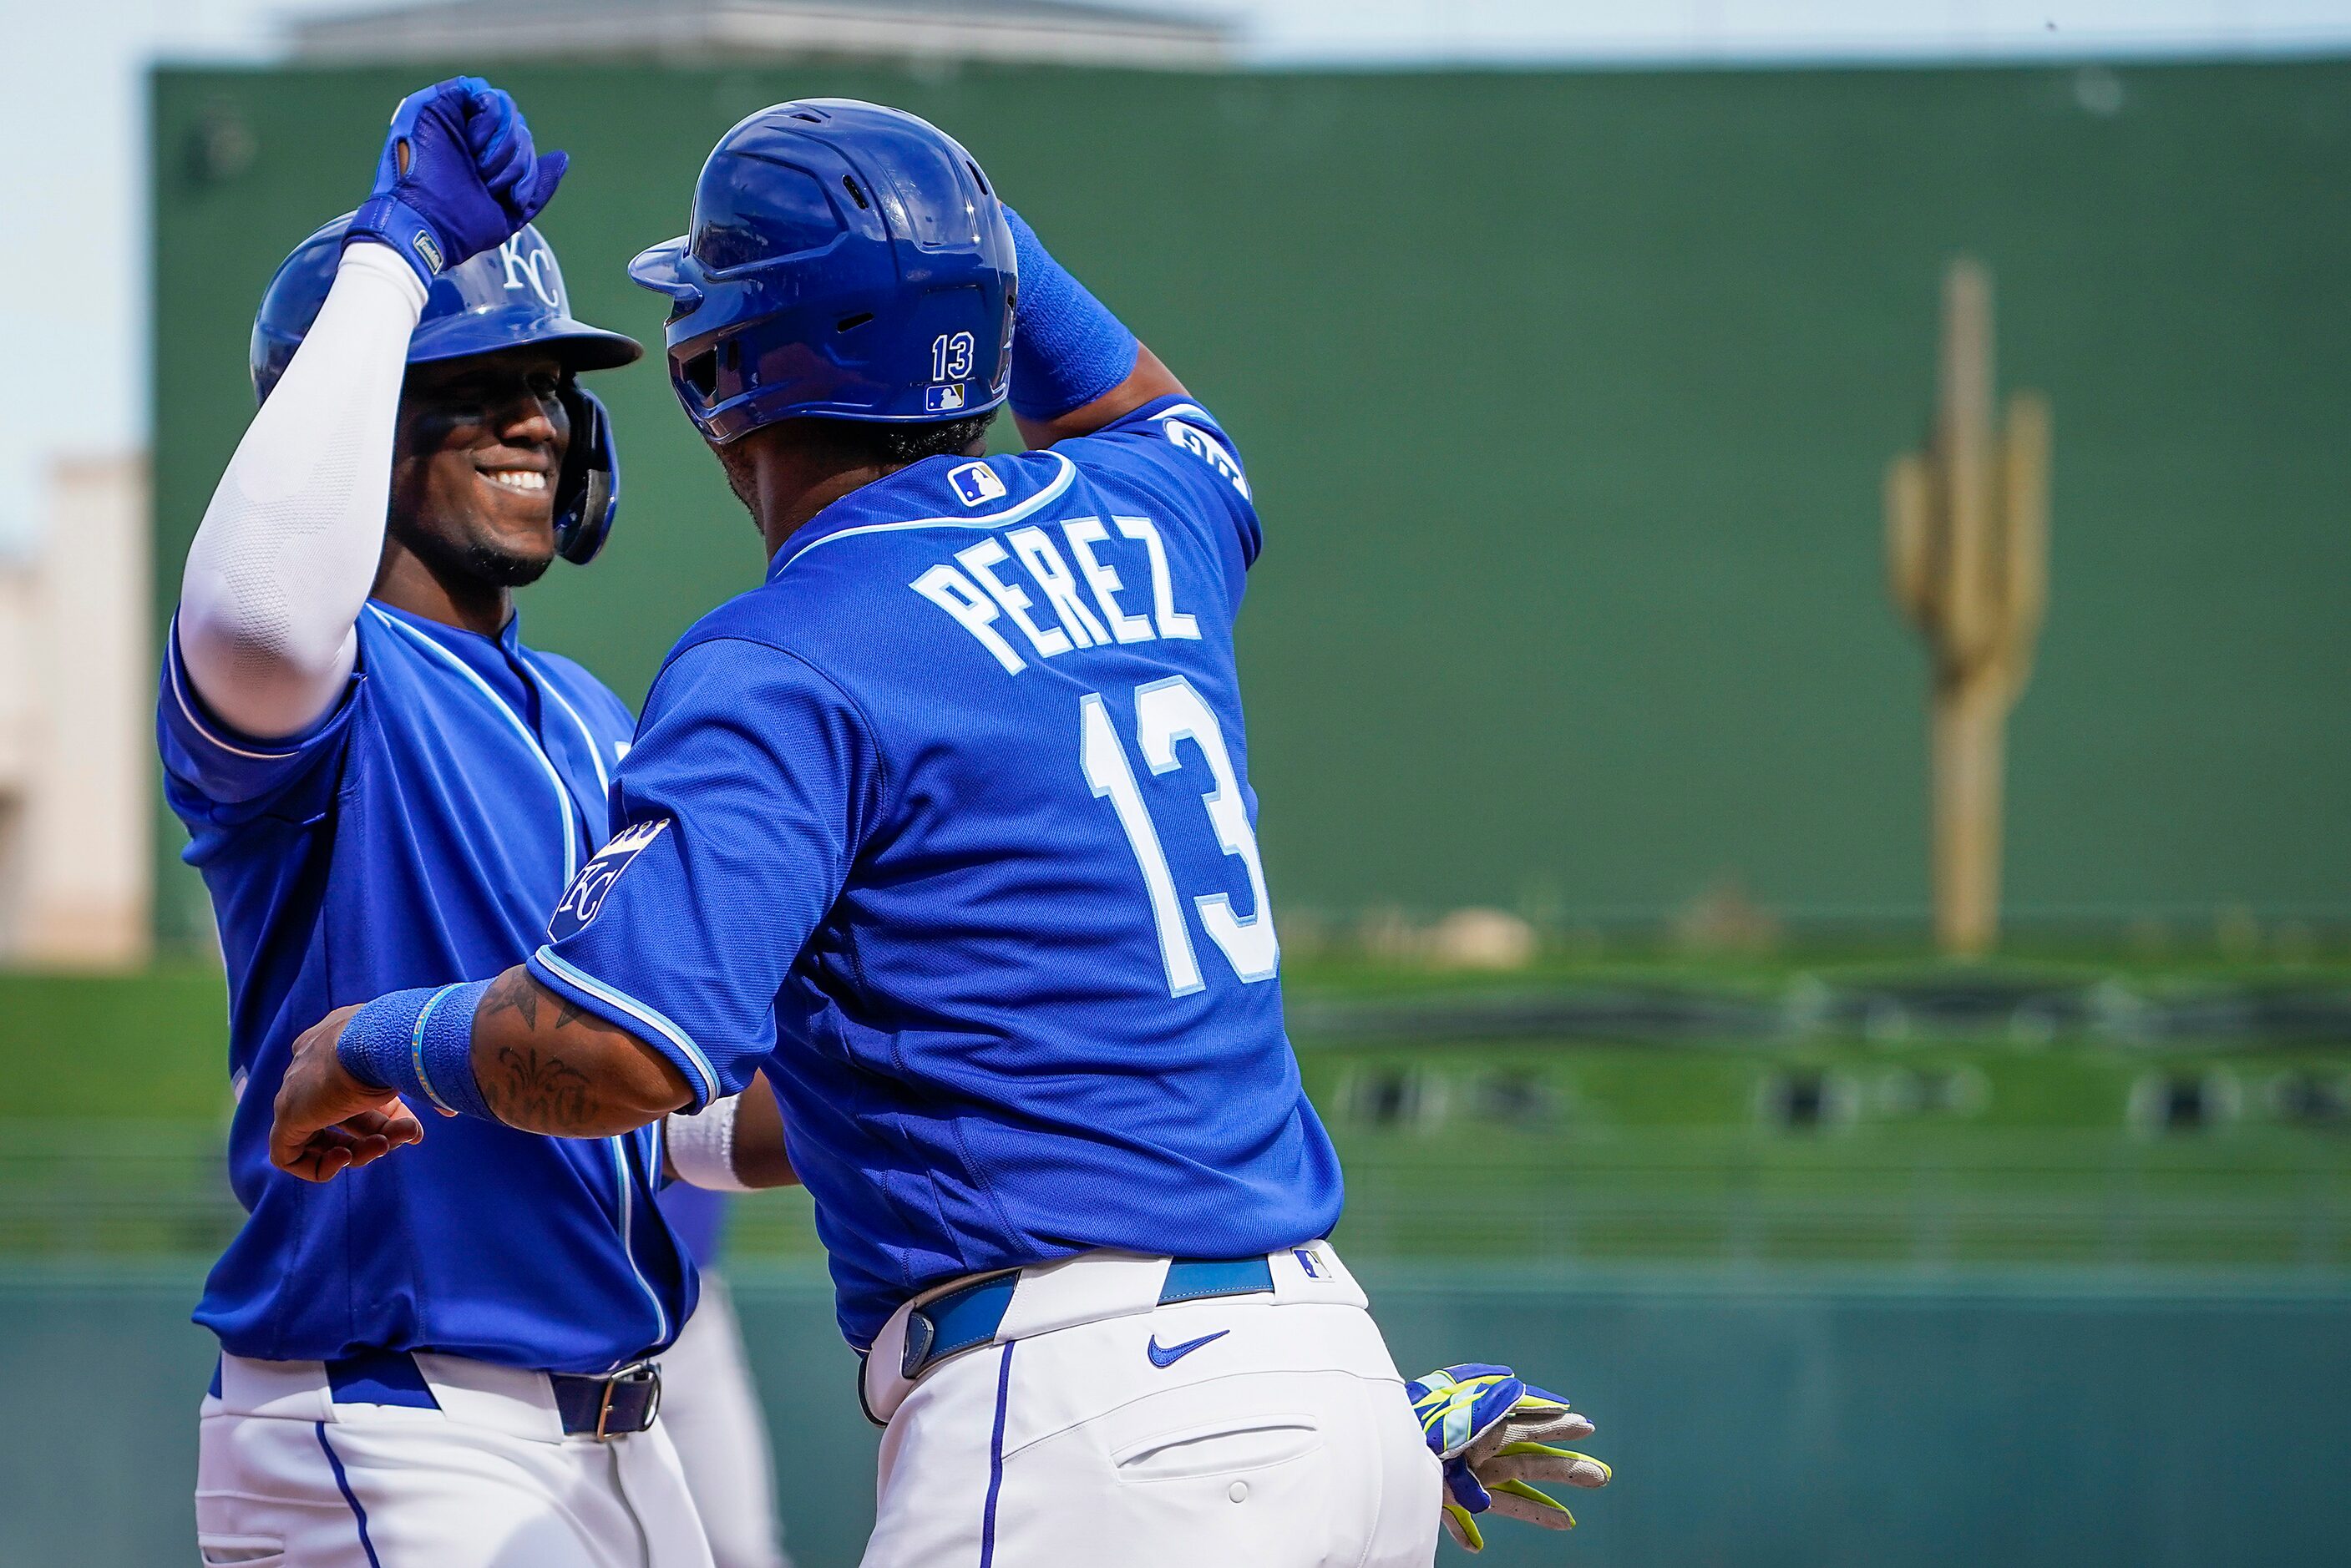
[1231, 1433]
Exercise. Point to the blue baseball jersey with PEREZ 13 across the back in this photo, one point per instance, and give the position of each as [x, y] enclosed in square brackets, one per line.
[949, 826]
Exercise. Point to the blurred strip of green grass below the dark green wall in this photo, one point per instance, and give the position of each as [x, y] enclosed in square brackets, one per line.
[1927, 1148]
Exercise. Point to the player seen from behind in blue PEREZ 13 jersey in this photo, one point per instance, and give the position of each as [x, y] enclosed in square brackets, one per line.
[946, 826]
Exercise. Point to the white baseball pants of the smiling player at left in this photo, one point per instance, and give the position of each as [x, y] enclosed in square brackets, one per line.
[293, 1480]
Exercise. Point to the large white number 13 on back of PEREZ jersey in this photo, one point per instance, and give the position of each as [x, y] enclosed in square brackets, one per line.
[1167, 716]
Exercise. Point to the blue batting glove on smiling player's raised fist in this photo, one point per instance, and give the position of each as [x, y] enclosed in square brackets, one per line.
[457, 177]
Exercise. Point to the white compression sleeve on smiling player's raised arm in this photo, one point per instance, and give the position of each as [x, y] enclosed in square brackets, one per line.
[290, 544]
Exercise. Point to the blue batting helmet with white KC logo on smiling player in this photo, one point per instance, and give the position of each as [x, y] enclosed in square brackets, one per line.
[507, 297]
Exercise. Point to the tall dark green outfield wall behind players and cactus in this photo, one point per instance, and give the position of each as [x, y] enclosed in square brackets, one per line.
[1567, 401]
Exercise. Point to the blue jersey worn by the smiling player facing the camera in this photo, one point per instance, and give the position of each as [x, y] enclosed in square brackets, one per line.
[415, 838]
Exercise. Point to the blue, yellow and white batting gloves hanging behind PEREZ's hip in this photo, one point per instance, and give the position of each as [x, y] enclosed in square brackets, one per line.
[1496, 1438]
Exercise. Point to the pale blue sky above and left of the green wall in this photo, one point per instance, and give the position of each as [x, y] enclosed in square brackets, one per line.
[72, 114]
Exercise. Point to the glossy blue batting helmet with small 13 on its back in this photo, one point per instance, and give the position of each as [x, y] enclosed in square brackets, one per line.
[845, 262]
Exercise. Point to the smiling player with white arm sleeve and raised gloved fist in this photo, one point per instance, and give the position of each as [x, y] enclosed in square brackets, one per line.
[446, 1360]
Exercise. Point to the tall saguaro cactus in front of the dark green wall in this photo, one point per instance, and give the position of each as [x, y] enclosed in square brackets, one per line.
[1967, 551]
